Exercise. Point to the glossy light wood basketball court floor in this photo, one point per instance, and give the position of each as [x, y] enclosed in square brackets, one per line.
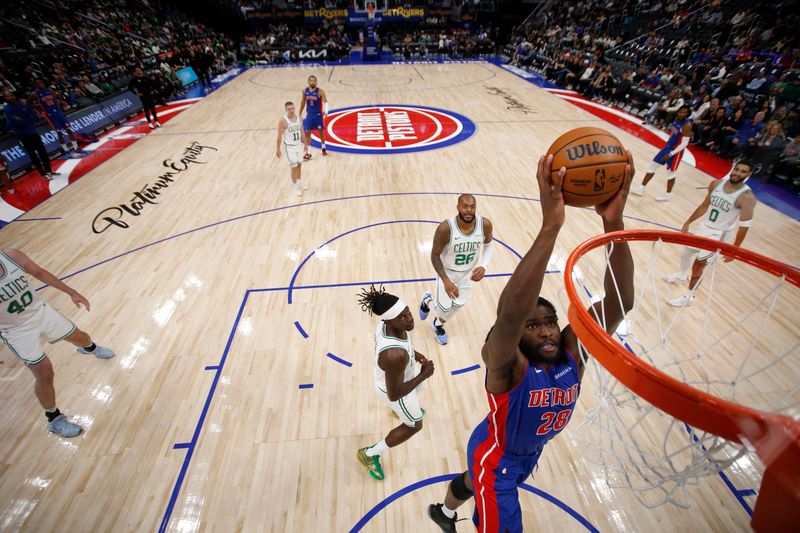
[176, 295]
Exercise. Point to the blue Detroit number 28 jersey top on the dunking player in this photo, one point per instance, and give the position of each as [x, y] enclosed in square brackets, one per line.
[523, 420]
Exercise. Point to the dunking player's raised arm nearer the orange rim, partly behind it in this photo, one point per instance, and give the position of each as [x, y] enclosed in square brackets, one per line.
[618, 280]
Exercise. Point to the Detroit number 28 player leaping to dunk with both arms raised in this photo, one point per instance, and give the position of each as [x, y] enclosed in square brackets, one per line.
[533, 373]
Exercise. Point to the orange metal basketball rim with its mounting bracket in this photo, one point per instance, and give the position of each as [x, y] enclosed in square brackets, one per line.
[775, 438]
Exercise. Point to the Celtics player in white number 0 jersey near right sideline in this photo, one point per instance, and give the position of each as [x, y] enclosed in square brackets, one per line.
[728, 203]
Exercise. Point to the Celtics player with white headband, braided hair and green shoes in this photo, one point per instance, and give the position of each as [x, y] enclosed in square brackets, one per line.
[399, 372]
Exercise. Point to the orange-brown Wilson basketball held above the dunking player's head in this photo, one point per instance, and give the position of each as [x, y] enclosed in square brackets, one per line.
[595, 161]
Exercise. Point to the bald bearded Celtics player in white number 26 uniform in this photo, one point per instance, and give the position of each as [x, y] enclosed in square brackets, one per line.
[462, 249]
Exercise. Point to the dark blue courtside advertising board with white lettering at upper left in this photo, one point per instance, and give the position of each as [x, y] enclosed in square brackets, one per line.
[88, 120]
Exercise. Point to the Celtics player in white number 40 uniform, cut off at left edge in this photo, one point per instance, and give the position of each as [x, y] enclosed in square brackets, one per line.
[25, 316]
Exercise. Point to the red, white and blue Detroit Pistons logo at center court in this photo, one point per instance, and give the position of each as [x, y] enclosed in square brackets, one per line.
[393, 129]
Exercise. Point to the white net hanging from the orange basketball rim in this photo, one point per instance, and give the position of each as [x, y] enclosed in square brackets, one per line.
[740, 345]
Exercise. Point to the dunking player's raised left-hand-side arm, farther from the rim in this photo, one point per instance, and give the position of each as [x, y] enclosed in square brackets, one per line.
[501, 352]
